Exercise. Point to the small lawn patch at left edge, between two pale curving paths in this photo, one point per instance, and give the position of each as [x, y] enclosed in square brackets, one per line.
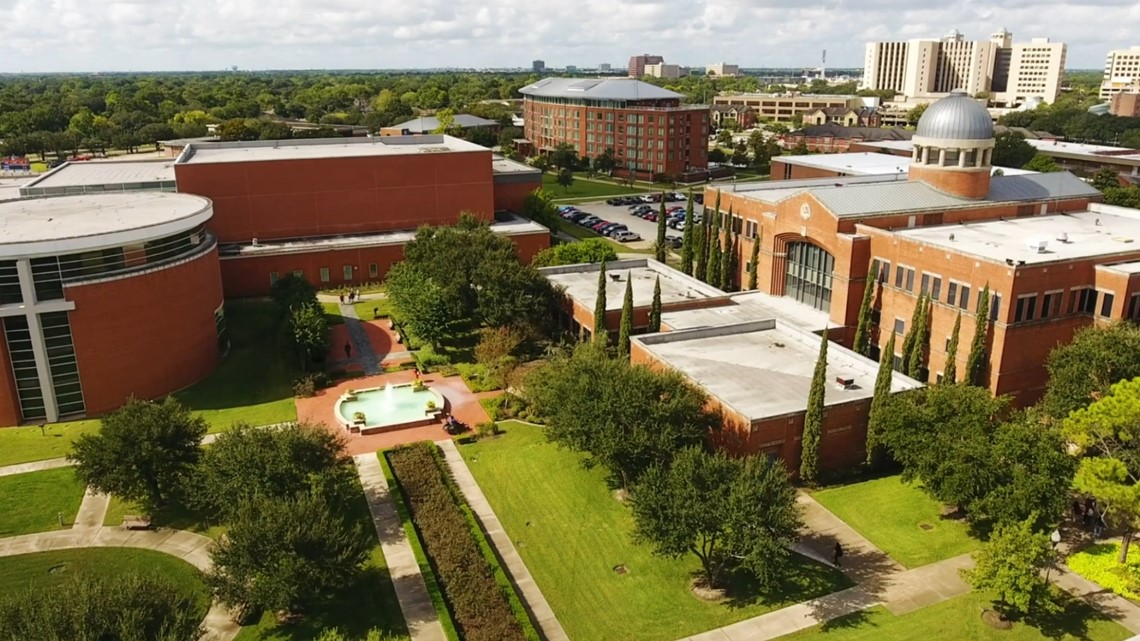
[32, 502]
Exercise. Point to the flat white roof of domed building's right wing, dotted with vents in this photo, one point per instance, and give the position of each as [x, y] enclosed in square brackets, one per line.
[1102, 231]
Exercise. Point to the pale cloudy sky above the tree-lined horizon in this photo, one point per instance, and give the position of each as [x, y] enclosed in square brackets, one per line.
[78, 36]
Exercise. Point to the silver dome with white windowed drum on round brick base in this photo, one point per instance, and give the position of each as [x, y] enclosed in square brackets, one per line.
[954, 148]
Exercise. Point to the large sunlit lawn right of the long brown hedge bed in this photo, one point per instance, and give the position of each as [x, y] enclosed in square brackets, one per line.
[572, 533]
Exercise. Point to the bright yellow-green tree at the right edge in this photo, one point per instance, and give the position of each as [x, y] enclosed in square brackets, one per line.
[1109, 435]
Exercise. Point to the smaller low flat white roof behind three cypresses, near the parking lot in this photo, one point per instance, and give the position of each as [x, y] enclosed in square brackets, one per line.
[581, 283]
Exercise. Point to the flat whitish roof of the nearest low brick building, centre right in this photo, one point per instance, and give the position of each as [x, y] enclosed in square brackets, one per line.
[764, 369]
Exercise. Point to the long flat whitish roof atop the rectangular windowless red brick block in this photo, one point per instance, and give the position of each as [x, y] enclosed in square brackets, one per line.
[323, 149]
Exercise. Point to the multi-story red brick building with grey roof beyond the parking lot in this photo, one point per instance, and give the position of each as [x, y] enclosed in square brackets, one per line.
[648, 127]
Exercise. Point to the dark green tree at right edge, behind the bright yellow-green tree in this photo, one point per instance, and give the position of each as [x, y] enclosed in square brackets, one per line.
[1087, 368]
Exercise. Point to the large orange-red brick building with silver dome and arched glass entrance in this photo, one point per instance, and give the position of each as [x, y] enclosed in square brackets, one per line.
[1054, 259]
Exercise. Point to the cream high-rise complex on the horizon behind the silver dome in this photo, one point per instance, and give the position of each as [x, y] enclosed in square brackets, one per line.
[1009, 72]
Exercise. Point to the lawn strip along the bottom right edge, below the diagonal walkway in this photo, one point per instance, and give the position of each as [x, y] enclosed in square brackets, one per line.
[960, 619]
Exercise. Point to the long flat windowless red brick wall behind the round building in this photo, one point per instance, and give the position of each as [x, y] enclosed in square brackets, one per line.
[328, 197]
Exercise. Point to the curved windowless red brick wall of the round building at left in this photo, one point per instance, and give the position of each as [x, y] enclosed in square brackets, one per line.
[148, 335]
